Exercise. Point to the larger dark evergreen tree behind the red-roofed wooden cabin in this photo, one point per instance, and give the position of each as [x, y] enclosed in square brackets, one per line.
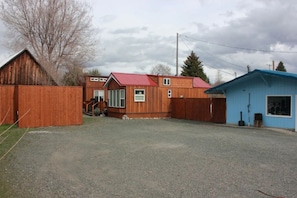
[193, 67]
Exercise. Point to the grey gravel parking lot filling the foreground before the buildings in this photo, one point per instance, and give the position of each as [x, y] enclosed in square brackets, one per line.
[109, 157]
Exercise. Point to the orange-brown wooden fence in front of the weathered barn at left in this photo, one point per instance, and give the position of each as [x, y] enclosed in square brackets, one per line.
[38, 106]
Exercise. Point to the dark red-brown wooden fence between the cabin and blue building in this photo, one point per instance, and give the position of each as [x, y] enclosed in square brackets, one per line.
[200, 109]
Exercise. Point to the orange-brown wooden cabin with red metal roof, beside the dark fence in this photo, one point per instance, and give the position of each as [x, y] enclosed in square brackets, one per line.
[149, 96]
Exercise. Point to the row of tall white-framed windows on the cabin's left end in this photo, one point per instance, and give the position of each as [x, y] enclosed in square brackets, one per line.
[116, 98]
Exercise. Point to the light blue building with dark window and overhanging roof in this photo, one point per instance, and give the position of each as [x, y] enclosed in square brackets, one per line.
[270, 95]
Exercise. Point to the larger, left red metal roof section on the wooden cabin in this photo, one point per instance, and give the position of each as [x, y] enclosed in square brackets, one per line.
[124, 79]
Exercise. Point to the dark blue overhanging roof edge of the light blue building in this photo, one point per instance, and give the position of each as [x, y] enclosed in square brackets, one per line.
[220, 89]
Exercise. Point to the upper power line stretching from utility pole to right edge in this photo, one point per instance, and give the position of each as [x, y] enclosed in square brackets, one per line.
[241, 48]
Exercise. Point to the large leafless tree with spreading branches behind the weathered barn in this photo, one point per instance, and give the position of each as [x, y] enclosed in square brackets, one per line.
[57, 32]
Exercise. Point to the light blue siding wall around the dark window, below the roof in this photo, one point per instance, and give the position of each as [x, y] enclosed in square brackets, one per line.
[237, 99]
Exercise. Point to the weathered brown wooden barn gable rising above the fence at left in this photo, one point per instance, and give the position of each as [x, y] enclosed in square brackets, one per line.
[23, 69]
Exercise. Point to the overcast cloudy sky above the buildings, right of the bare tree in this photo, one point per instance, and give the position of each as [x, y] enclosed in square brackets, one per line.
[136, 35]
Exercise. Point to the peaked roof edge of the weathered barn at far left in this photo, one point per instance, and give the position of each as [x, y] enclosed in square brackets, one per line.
[15, 56]
